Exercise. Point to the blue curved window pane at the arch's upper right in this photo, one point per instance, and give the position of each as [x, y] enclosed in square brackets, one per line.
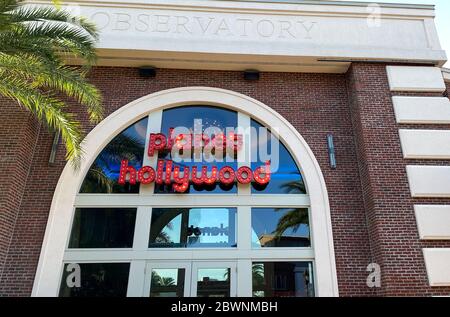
[286, 177]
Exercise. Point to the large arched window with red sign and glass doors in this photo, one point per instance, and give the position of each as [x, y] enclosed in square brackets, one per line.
[140, 227]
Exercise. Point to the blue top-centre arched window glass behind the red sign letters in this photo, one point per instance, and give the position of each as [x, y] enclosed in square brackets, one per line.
[211, 117]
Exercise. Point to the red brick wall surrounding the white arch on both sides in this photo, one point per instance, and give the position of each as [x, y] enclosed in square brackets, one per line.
[371, 209]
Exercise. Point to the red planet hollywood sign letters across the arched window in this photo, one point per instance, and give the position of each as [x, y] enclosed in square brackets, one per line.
[168, 173]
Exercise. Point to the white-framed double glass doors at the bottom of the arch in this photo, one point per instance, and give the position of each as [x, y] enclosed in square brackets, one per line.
[190, 279]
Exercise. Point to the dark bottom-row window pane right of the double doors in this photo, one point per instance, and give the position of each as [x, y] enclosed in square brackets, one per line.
[282, 279]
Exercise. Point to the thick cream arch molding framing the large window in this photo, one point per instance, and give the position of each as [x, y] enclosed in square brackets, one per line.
[49, 269]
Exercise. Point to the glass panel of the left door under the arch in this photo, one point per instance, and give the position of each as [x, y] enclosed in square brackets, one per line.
[167, 283]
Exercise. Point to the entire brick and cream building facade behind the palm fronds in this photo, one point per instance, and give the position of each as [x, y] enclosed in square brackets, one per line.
[353, 95]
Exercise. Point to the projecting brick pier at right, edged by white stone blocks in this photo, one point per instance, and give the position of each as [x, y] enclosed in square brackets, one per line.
[391, 222]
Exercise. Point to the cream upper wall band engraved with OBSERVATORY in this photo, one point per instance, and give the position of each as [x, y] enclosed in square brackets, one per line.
[277, 35]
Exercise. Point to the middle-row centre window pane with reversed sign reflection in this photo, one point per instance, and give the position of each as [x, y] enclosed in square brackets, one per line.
[193, 228]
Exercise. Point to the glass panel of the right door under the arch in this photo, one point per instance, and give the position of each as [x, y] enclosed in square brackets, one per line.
[213, 282]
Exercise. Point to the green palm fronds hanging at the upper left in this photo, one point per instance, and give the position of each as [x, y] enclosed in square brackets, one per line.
[34, 42]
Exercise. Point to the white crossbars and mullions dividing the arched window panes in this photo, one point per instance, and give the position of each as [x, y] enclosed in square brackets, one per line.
[146, 199]
